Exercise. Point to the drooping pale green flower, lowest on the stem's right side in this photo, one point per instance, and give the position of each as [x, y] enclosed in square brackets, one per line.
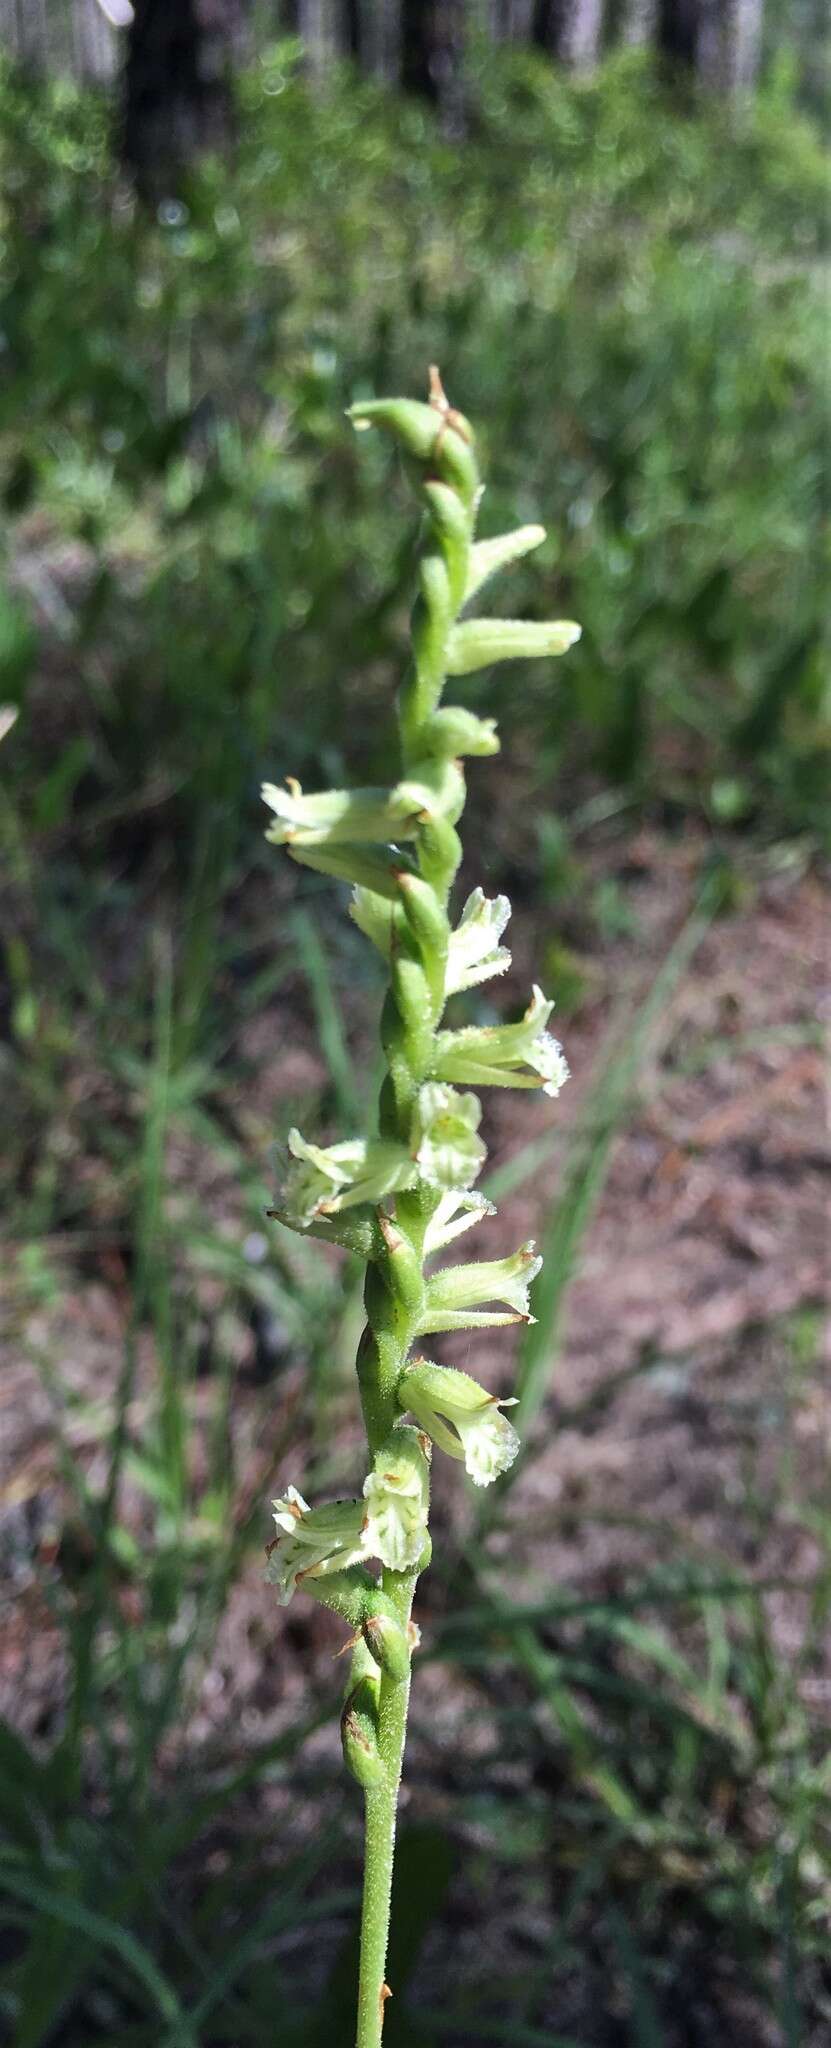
[462, 1418]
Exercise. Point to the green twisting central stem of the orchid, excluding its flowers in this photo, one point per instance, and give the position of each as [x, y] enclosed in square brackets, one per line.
[408, 1033]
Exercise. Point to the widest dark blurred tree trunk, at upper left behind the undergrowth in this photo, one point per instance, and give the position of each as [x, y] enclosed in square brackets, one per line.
[177, 95]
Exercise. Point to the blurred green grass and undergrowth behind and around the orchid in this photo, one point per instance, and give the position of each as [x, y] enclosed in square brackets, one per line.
[206, 577]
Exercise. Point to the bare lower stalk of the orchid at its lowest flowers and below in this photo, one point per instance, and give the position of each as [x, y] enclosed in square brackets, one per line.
[380, 1842]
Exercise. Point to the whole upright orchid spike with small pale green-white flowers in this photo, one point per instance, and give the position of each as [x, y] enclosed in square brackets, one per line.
[400, 1199]
